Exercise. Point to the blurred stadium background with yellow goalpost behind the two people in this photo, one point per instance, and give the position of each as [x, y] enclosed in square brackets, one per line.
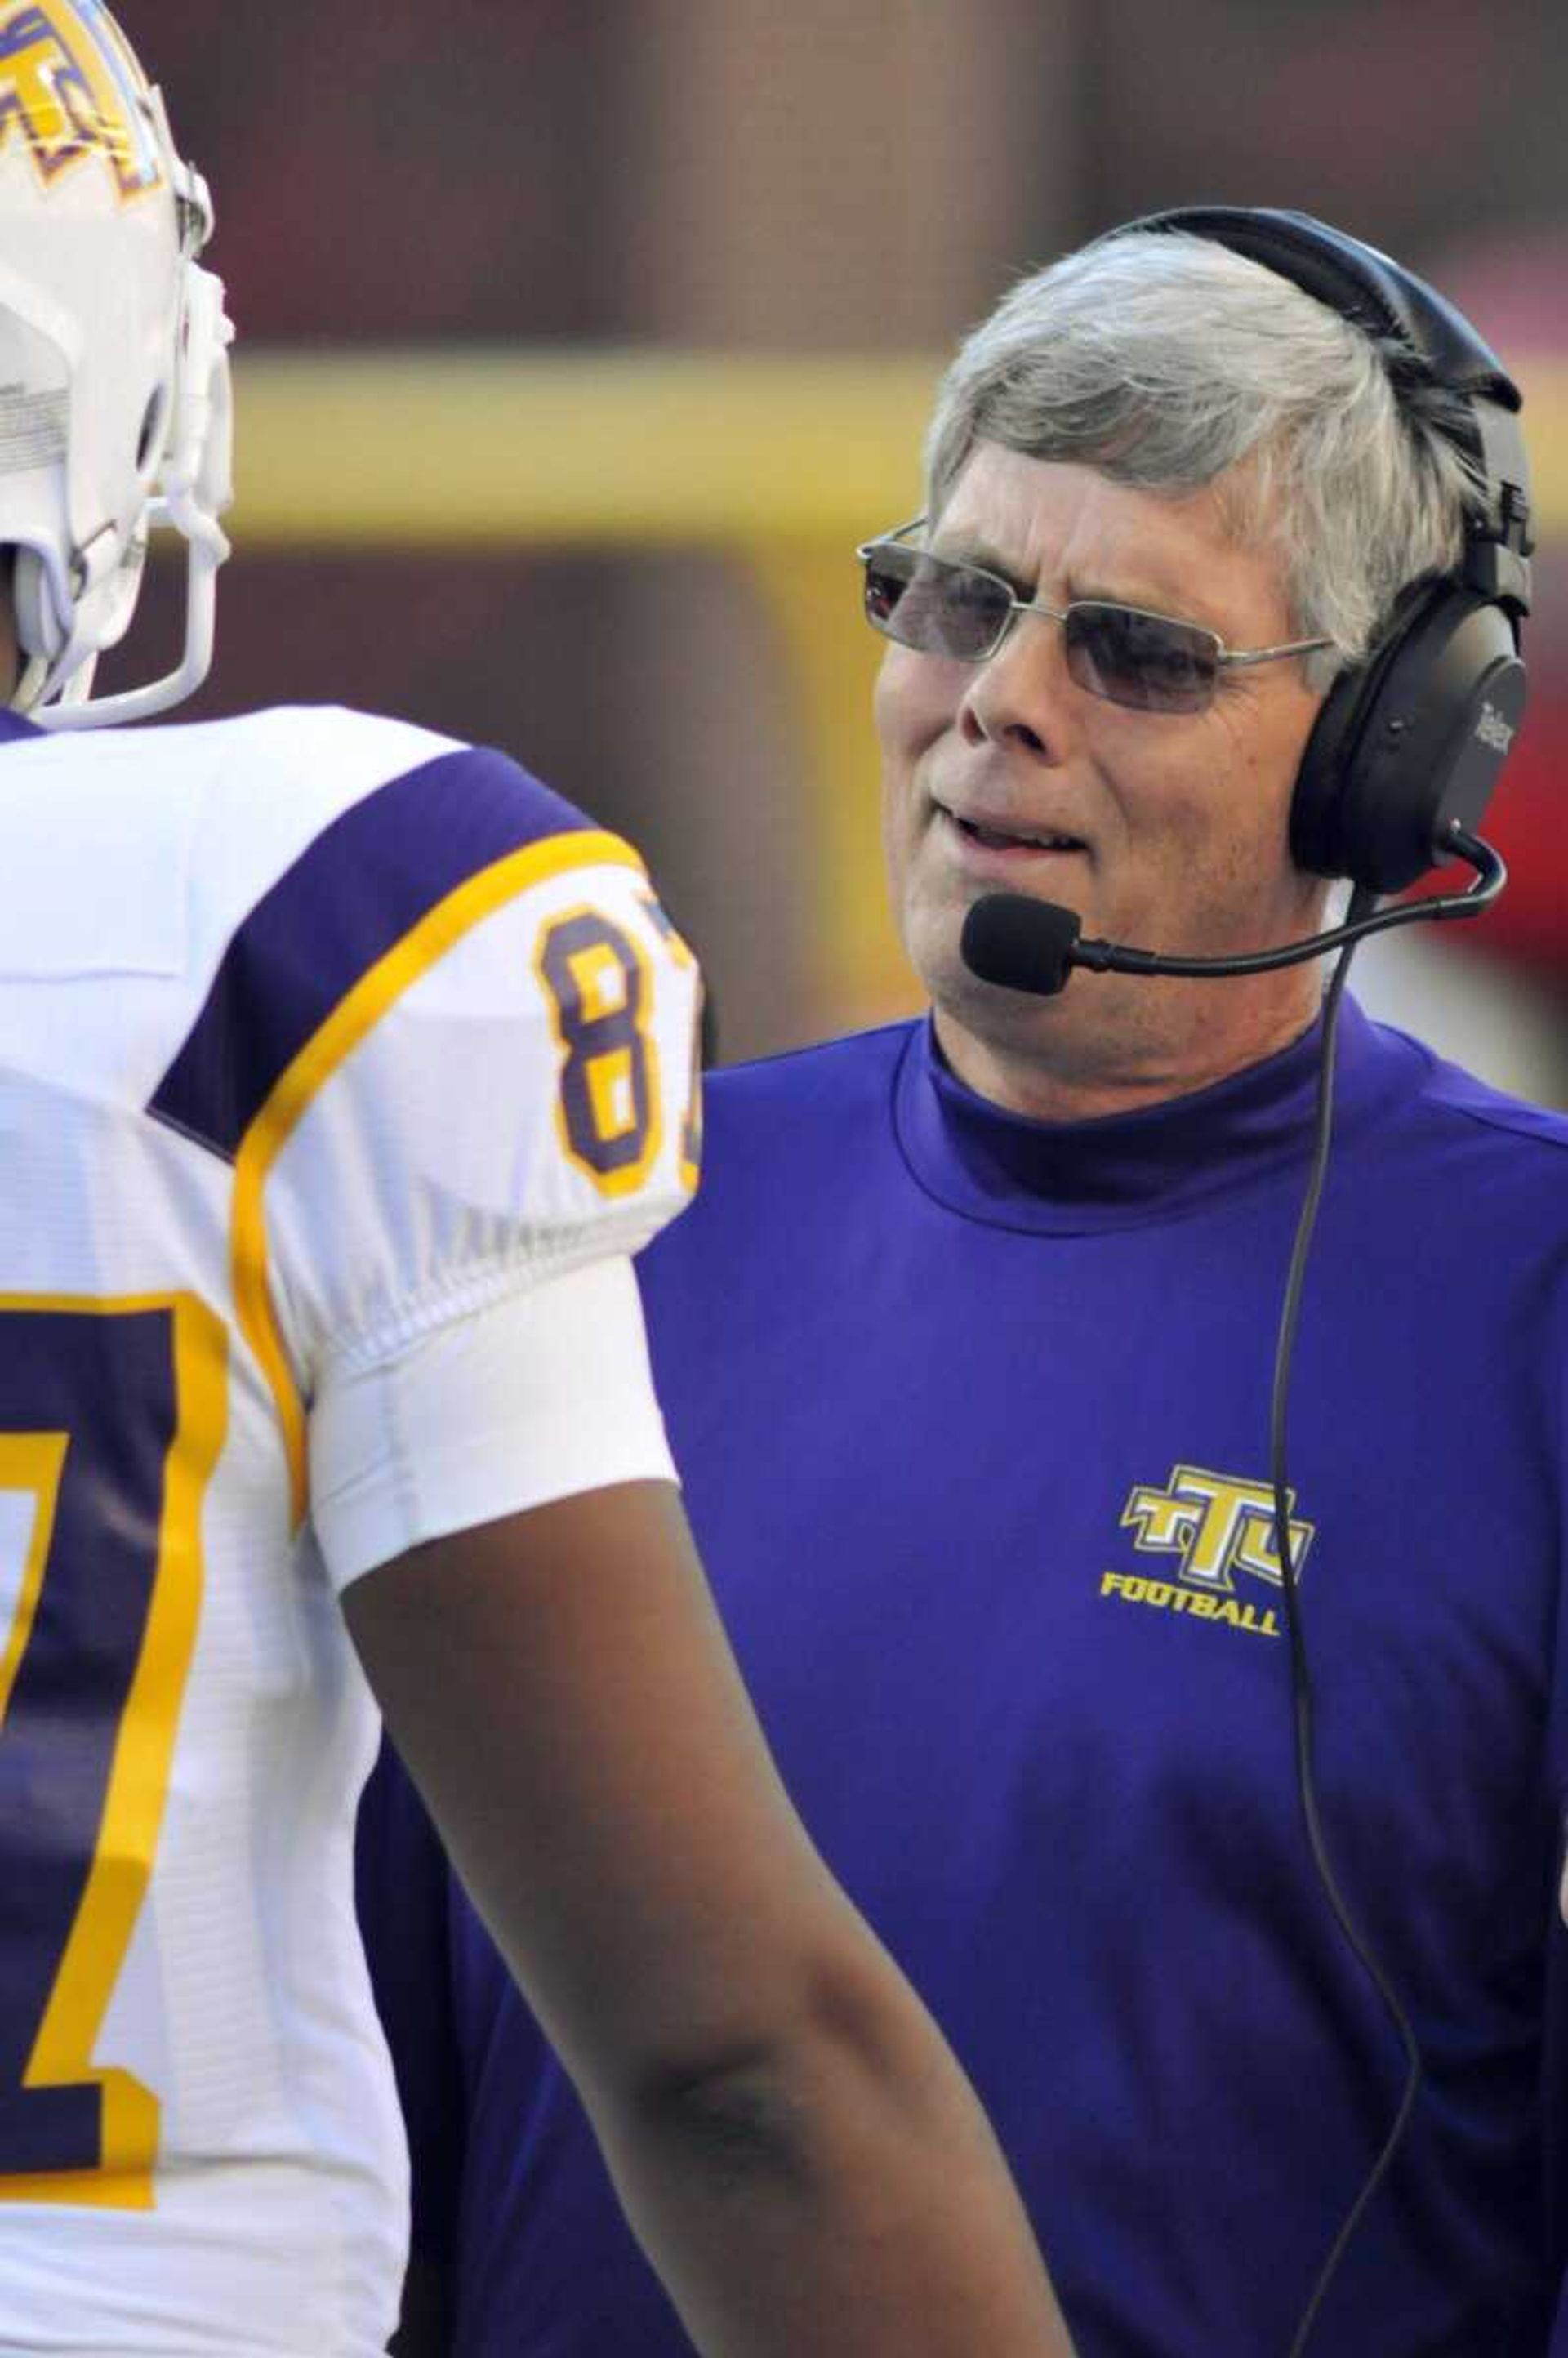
[584, 338]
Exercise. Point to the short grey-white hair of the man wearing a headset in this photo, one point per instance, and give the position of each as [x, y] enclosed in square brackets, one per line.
[1173, 364]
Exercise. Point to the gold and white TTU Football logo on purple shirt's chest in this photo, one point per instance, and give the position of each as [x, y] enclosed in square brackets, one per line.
[1213, 1527]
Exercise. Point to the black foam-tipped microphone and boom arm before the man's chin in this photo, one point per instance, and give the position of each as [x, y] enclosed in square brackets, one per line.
[1034, 944]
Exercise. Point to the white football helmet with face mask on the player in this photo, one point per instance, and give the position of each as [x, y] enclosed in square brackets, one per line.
[114, 360]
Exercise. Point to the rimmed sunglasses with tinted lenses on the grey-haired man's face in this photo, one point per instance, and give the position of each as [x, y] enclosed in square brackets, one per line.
[1145, 661]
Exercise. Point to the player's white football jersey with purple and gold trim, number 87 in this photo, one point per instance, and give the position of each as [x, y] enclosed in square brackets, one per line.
[341, 1069]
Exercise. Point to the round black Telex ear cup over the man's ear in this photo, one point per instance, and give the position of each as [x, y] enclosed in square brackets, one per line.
[1411, 744]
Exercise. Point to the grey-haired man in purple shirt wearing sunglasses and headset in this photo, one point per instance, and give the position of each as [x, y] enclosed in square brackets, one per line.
[1199, 1824]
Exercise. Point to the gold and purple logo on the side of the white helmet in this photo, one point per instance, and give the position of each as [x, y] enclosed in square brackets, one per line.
[70, 91]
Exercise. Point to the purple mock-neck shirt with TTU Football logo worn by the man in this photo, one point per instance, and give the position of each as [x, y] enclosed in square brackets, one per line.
[975, 1430]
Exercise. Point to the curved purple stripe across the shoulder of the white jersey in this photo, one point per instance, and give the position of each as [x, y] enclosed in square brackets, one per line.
[348, 900]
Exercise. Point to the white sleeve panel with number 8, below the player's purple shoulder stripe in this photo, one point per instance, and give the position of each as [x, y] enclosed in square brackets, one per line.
[508, 1100]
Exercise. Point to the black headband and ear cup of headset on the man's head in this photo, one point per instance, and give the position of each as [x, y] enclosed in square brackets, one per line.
[1411, 739]
